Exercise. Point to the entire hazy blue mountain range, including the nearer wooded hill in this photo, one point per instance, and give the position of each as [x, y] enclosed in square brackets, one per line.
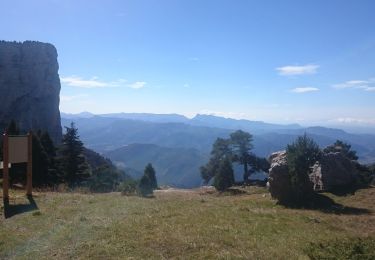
[177, 145]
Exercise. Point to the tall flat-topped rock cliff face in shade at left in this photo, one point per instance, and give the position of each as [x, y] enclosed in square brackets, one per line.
[30, 87]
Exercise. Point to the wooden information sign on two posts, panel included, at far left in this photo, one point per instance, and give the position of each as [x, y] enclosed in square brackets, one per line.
[17, 149]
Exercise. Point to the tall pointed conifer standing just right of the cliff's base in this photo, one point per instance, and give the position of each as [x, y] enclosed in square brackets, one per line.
[73, 164]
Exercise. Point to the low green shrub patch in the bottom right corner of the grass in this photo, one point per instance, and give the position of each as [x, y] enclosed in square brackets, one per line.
[347, 248]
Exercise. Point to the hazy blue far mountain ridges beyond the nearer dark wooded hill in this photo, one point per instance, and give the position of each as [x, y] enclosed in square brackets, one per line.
[105, 133]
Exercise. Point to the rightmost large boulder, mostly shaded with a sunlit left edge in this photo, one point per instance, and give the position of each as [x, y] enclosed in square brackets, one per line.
[332, 171]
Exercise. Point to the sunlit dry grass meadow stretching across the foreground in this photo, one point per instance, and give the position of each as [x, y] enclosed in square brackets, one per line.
[175, 224]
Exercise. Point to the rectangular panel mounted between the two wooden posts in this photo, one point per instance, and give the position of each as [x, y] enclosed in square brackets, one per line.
[18, 149]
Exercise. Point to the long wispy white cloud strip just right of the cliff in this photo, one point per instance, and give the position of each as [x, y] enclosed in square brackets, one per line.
[94, 82]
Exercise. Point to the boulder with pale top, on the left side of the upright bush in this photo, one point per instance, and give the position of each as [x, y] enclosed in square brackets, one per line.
[278, 179]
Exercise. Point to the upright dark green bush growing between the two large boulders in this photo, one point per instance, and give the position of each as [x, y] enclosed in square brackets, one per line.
[301, 155]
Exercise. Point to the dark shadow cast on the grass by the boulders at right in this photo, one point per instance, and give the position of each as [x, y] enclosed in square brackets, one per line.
[327, 205]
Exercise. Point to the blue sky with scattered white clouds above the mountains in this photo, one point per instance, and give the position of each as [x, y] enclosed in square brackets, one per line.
[308, 62]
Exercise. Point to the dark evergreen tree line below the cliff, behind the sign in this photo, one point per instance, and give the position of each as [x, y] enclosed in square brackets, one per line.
[75, 166]
